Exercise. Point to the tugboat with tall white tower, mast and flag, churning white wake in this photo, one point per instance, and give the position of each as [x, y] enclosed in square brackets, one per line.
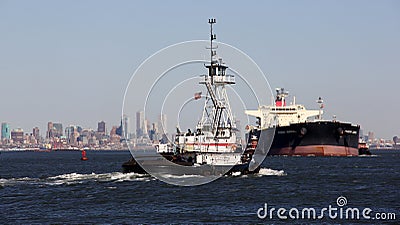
[214, 141]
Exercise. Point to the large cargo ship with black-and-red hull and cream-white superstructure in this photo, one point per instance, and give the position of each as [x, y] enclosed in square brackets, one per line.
[302, 132]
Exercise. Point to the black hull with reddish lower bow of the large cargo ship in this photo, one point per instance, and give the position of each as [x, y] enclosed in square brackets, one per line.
[320, 138]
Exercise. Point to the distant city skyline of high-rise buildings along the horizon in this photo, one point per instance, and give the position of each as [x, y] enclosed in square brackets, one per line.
[147, 132]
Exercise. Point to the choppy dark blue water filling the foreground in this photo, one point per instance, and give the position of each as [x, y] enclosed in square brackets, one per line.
[57, 187]
